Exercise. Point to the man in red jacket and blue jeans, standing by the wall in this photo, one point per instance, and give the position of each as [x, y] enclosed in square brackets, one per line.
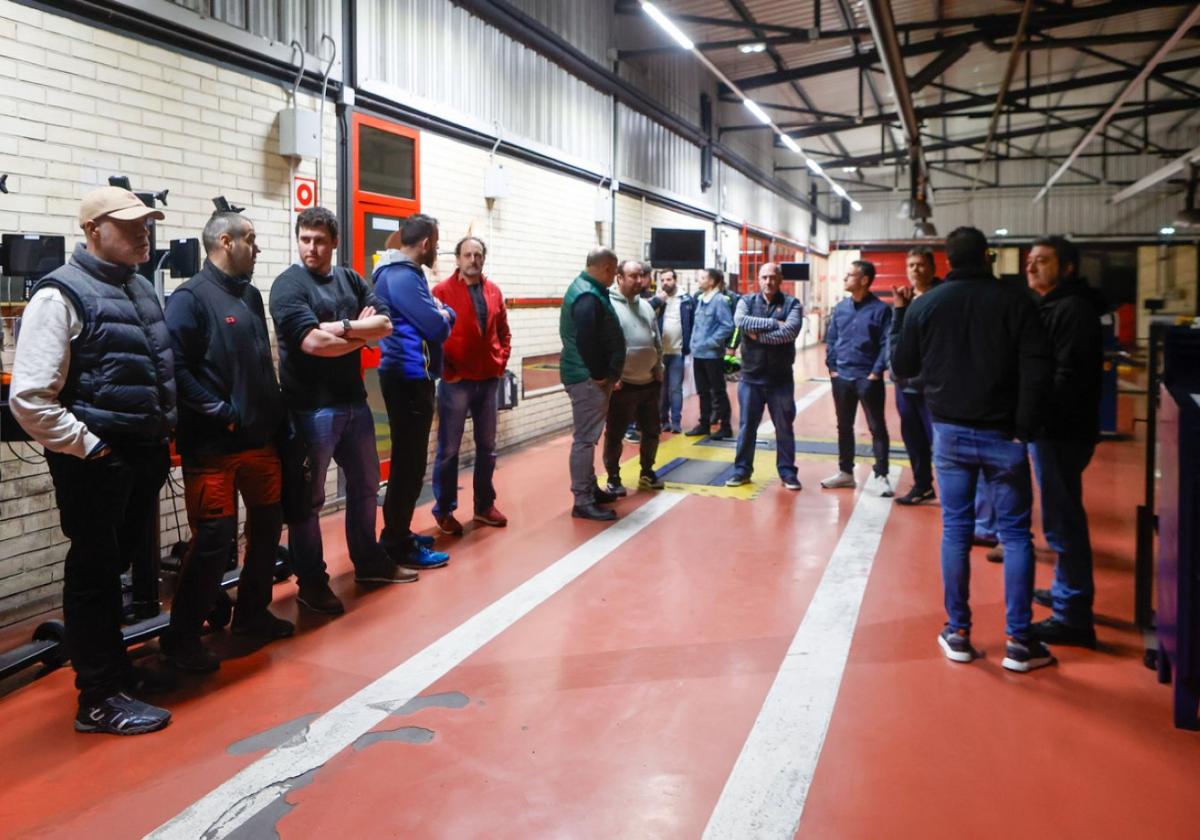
[475, 359]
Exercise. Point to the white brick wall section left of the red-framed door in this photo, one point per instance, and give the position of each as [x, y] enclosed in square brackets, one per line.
[77, 106]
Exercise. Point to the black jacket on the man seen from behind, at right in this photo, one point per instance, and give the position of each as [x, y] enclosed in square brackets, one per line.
[982, 351]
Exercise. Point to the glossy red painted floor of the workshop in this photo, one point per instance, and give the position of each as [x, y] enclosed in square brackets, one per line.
[619, 706]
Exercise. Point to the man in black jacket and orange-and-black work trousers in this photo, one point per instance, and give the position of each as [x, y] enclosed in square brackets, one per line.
[230, 412]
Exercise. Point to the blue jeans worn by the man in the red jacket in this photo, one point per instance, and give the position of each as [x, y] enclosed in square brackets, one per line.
[457, 401]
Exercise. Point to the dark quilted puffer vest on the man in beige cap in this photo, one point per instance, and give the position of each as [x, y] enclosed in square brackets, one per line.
[122, 380]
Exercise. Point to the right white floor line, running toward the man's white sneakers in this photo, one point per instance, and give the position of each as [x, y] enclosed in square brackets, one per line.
[766, 793]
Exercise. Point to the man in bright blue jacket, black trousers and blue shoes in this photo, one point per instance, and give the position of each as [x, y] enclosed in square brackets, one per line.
[409, 368]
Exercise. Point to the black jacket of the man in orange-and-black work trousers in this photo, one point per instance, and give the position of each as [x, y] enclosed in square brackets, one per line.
[224, 365]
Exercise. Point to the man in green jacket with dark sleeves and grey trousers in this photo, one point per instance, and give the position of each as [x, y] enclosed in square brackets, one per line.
[591, 365]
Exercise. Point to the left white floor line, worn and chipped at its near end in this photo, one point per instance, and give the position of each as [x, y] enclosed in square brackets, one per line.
[242, 797]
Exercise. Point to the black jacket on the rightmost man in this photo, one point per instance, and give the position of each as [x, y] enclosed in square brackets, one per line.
[1071, 314]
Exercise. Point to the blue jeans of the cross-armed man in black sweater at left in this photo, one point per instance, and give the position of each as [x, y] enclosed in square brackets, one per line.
[344, 434]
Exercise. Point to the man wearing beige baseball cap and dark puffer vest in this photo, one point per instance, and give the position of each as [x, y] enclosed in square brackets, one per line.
[94, 382]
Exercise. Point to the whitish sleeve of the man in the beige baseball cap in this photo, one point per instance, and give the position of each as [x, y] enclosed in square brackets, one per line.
[40, 371]
